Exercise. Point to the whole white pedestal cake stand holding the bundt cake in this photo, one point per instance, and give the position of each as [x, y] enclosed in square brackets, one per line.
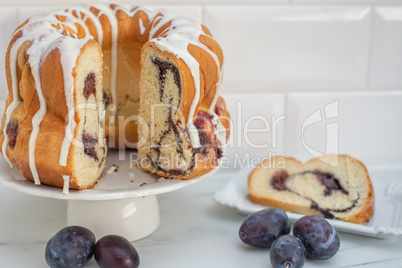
[123, 202]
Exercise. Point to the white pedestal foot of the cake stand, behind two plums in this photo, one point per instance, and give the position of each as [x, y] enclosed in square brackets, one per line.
[132, 218]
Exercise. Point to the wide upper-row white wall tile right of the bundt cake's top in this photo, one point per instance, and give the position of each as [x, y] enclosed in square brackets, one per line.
[292, 48]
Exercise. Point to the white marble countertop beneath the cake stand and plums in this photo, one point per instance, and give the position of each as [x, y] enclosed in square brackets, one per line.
[194, 232]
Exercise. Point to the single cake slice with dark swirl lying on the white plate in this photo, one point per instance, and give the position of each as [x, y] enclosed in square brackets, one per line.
[332, 186]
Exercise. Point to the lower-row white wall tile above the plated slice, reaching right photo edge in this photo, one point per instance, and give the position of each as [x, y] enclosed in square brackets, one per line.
[368, 126]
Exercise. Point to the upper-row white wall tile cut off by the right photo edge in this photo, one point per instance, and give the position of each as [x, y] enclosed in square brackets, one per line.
[386, 52]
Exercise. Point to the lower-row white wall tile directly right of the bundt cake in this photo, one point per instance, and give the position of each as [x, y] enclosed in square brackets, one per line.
[257, 127]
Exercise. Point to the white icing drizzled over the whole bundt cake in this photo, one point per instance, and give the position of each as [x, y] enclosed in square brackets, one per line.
[44, 37]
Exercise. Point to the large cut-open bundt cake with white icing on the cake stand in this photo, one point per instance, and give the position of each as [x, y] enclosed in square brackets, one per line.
[109, 76]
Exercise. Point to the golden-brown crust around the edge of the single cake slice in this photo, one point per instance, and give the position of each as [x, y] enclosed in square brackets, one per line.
[362, 216]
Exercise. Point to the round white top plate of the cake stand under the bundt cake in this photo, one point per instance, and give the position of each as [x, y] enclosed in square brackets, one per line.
[117, 185]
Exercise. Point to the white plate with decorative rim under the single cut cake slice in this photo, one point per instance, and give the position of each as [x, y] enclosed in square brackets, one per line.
[386, 222]
